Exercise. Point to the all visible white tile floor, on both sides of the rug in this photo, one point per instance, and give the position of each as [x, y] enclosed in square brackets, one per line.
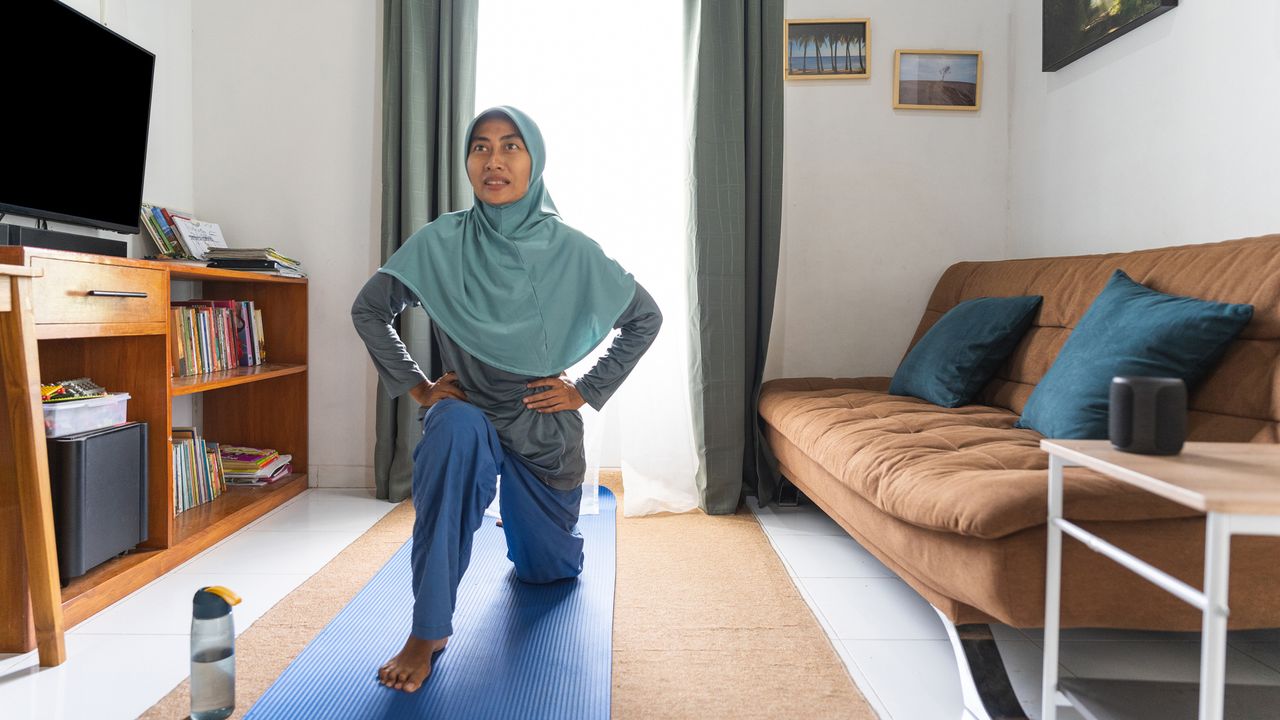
[132, 654]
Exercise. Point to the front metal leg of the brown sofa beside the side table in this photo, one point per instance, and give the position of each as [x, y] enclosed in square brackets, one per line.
[984, 682]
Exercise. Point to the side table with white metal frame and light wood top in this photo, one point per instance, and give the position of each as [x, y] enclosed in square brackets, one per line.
[1237, 486]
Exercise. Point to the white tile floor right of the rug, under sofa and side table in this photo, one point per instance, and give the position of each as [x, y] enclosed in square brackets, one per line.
[898, 651]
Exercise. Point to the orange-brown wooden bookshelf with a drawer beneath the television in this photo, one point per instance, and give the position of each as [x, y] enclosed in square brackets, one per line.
[122, 343]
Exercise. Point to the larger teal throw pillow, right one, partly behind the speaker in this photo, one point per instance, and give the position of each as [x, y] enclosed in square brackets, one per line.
[1130, 330]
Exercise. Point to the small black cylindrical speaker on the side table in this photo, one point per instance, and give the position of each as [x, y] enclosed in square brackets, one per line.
[1149, 416]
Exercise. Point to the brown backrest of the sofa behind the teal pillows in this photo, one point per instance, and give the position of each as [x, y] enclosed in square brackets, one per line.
[1238, 402]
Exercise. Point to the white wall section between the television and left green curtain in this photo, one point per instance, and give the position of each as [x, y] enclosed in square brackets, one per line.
[287, 135]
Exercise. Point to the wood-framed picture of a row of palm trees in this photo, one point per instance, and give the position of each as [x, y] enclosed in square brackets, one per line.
[828, 49]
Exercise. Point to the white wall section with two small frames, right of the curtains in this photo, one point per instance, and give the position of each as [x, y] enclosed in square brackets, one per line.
[879, 202]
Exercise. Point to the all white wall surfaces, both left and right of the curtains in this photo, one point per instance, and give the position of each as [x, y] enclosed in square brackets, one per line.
[271, 126]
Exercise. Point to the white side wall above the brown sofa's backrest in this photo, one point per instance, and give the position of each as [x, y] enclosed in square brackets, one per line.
[1165, 136]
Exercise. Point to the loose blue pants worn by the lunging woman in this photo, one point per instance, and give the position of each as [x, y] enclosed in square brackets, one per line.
[456, 467]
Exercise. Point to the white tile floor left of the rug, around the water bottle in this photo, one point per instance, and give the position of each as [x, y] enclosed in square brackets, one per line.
[124, 660]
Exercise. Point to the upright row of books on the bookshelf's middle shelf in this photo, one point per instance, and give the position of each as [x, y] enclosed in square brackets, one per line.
[216, 335]
